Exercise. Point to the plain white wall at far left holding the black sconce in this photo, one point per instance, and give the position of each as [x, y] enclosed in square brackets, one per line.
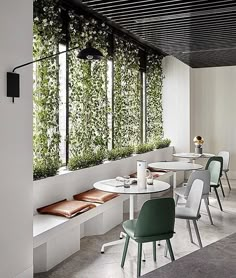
[16, 142]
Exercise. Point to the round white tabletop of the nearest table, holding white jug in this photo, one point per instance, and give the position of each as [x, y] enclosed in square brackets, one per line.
[115, 186]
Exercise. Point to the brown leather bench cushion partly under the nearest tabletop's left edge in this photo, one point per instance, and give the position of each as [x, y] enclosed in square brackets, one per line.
[95, 195]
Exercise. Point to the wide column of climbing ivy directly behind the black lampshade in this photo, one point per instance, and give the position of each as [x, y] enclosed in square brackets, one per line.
[88, 105]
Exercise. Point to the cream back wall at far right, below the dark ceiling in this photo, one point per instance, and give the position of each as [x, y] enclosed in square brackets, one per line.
[213, 99]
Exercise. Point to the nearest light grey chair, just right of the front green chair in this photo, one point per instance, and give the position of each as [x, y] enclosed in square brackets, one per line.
[191, 210]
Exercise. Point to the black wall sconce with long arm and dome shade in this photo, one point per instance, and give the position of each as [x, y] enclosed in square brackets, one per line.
[13, 78]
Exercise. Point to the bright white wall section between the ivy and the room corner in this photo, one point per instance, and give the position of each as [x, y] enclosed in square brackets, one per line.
[176, 103]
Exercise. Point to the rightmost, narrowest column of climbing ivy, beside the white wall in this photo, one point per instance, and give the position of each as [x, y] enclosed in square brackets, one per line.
[154, 82]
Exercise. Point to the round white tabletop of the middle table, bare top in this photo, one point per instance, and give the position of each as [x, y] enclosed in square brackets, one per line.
[175, 166]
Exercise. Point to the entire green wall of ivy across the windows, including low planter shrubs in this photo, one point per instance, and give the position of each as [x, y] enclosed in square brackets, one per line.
[88, 103]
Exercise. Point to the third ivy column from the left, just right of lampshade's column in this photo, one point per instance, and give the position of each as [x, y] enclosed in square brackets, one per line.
[127, 96]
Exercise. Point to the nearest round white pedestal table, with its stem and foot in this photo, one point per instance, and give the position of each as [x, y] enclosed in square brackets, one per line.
[114, 186]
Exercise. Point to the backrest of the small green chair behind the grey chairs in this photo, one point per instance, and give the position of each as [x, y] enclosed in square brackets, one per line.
[215, 166]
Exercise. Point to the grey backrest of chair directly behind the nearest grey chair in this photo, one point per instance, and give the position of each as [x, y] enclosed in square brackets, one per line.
[203, 175]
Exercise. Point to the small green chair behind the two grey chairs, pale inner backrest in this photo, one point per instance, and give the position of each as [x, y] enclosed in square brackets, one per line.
[215, 166]
